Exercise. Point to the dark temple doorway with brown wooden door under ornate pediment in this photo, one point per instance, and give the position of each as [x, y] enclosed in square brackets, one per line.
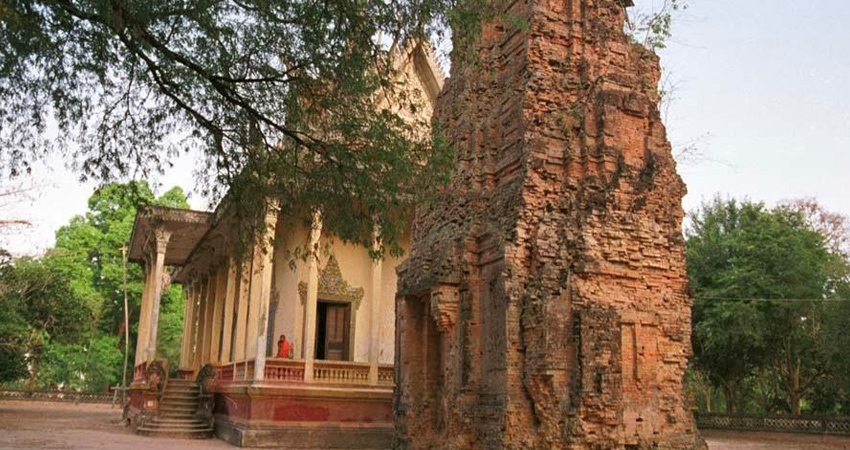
[333, 331]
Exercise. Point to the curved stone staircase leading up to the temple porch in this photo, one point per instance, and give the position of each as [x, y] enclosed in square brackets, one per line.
[177, 413]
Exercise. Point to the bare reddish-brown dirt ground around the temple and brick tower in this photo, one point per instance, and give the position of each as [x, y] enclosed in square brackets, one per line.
[43, 425]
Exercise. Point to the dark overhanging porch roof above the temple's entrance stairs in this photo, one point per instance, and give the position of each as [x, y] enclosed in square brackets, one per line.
[187, 228]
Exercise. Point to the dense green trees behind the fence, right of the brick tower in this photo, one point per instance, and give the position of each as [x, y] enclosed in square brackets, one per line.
[771, 317]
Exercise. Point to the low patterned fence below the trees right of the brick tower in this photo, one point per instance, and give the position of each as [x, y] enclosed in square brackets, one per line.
[838, 425]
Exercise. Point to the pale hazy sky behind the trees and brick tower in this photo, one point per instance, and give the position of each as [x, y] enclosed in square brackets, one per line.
[760, 89]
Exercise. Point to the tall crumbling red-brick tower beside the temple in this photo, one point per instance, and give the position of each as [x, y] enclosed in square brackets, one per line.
[544, 304]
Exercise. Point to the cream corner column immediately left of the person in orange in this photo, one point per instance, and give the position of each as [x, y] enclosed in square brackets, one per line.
[266, 272]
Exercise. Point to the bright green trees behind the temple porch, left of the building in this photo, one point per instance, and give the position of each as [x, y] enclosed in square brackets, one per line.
[62, 314]
